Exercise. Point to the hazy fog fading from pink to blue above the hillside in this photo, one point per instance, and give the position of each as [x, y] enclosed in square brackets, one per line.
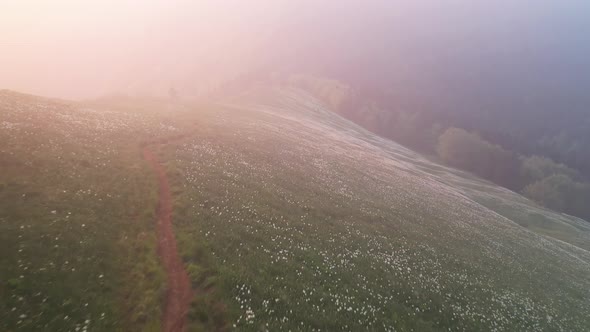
[76, 49]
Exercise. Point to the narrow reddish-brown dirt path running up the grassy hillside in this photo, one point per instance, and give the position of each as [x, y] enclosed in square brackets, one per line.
[178, 294]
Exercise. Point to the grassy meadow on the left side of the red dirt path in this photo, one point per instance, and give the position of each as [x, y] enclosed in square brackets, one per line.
[77, 210]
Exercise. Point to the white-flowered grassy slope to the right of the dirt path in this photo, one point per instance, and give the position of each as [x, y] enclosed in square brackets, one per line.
[300, 220]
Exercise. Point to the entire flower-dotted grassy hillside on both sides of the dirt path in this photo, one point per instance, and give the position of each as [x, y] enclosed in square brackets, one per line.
[287, 217]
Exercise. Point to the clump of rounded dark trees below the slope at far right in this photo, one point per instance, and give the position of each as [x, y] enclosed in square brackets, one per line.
[539, 178]
